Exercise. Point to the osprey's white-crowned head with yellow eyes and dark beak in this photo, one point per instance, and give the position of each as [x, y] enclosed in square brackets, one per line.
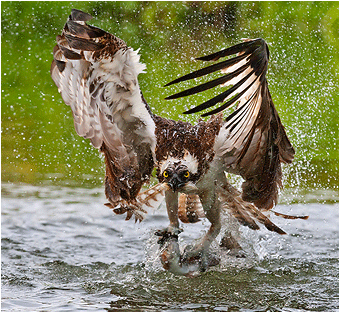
[179, 174]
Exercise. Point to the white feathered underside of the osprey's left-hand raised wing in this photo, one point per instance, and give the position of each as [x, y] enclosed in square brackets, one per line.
[116, 98]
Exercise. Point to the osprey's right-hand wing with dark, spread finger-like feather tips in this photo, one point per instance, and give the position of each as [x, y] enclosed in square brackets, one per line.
[252, 142]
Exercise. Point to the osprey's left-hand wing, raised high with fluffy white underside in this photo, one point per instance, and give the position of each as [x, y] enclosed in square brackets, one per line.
[96, 74]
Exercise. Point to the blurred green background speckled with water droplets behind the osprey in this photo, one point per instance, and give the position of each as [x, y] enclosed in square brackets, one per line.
[39, 144]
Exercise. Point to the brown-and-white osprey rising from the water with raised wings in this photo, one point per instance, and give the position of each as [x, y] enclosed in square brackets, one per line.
[97, 76]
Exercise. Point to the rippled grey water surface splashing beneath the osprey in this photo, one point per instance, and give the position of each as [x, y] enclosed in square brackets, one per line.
[62, 250]
